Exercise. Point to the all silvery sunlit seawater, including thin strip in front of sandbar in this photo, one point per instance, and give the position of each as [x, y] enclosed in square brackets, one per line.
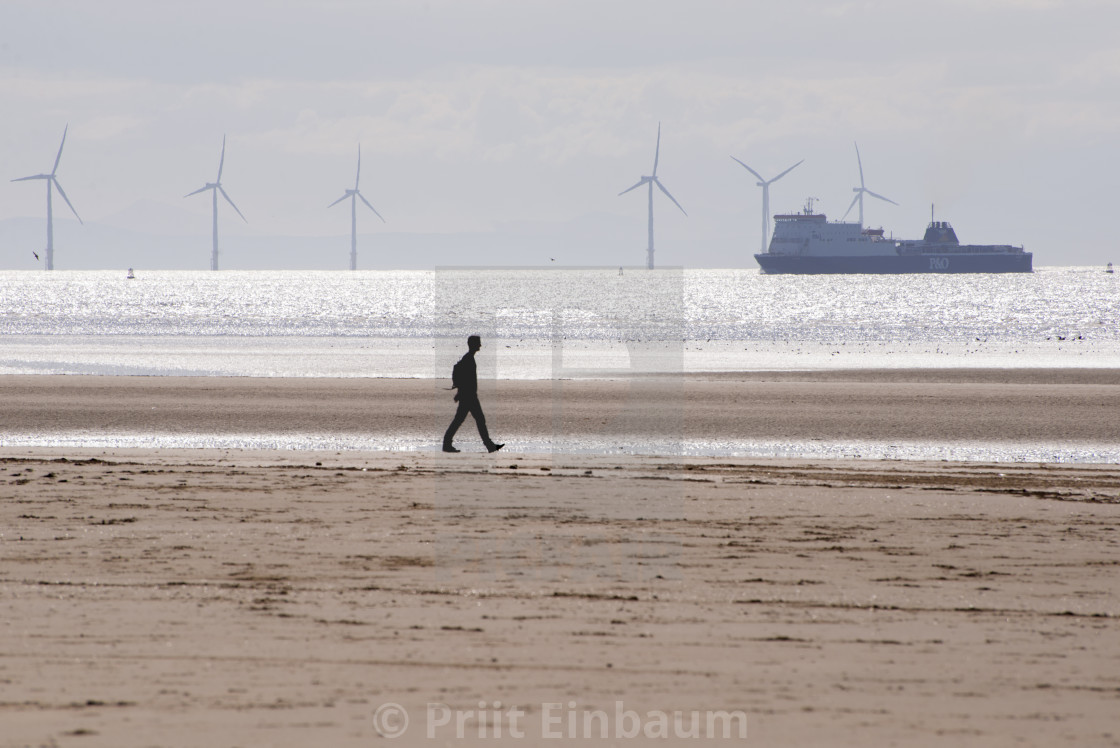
[558, 323]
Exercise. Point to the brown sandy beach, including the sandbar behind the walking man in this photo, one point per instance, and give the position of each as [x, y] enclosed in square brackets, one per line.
[166, 597]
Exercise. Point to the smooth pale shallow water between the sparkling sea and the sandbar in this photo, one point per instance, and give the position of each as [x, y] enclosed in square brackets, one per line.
[512, 360]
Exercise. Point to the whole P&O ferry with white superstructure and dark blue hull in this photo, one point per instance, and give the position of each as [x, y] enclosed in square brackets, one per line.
[809, 244]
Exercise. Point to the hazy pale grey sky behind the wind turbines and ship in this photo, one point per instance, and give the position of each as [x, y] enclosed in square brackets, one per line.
[501, 132]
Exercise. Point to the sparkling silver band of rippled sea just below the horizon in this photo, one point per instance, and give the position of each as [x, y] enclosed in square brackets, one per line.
[1077, 306]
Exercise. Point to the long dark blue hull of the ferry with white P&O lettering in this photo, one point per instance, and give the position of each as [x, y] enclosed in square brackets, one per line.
[895, 265]
